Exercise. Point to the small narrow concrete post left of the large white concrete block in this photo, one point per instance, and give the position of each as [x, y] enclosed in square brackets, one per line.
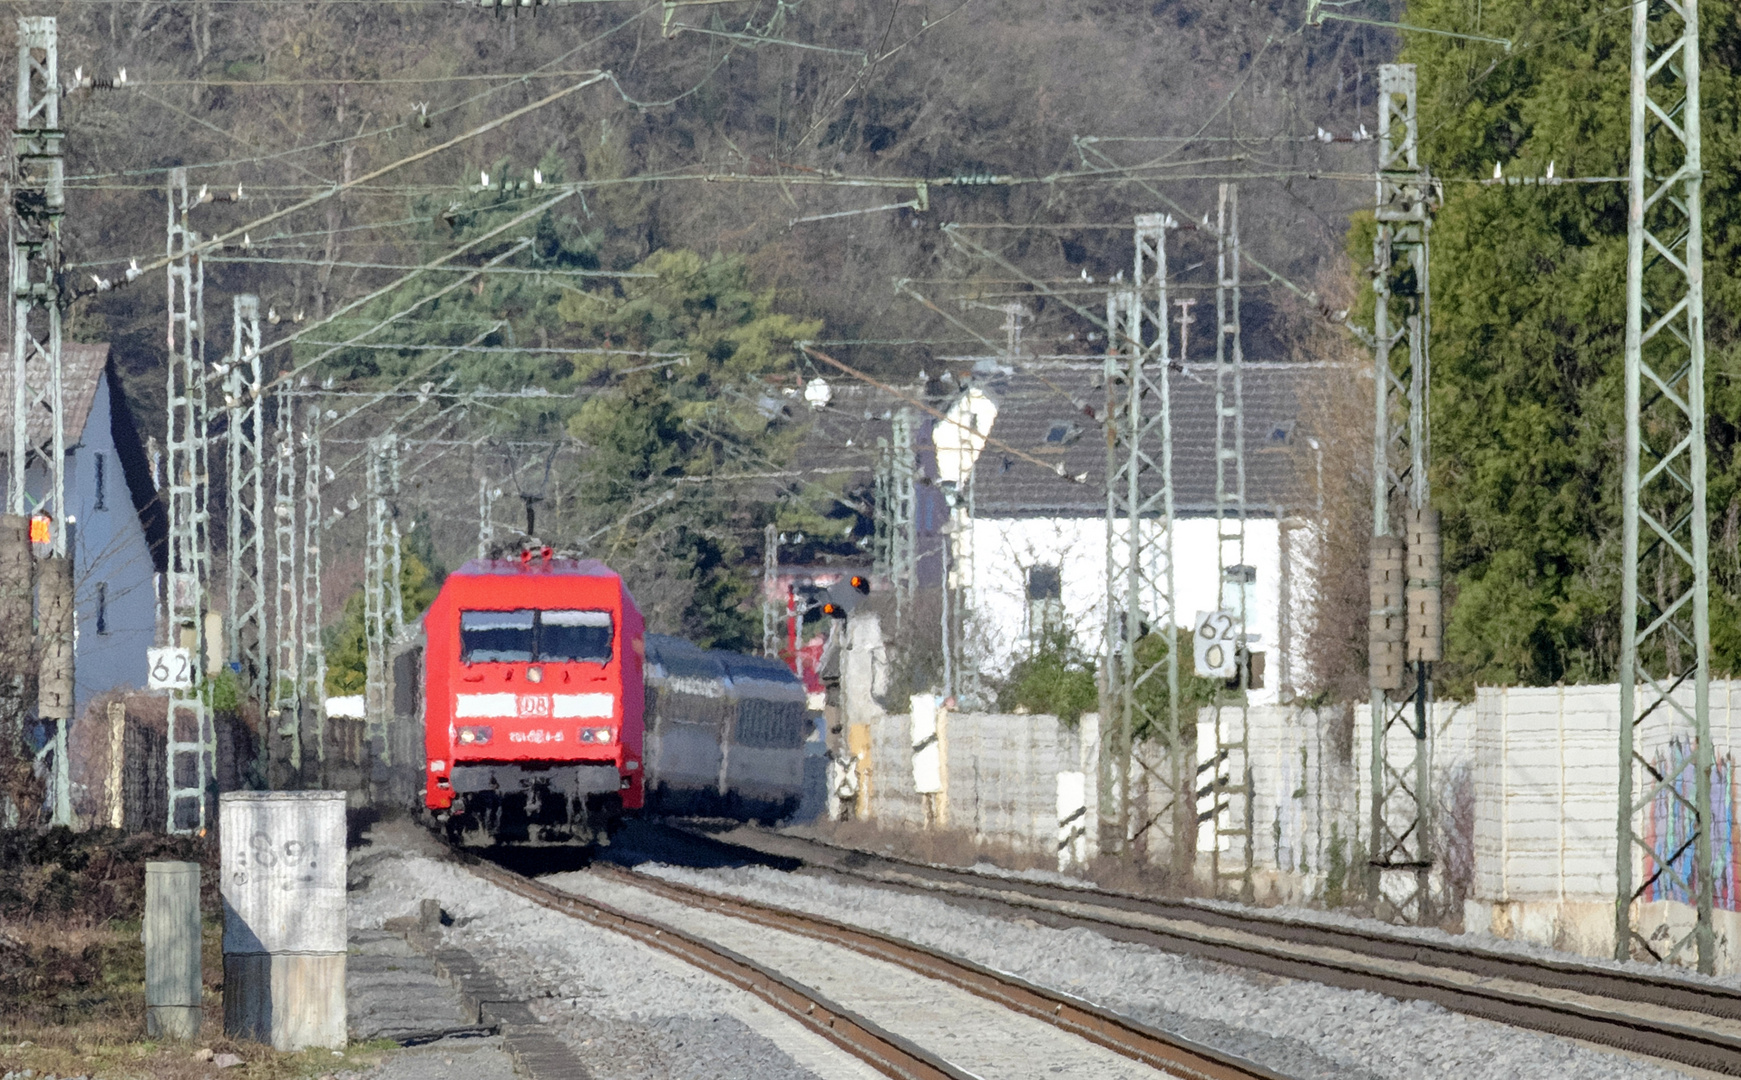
[171, 950]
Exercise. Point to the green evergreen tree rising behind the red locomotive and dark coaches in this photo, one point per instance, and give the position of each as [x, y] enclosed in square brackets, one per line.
[657, 431]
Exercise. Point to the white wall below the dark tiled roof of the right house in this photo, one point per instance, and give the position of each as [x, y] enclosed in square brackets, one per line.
[1004, 550]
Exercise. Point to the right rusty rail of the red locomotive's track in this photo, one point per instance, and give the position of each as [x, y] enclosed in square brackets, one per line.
[1167, 1053]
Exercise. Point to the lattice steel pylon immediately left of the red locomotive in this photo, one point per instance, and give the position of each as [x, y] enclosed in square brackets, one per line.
[382, 602]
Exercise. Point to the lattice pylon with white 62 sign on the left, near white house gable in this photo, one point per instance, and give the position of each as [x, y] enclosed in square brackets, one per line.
[189, 743]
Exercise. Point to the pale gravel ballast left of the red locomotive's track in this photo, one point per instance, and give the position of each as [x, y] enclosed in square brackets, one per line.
[624, 1009]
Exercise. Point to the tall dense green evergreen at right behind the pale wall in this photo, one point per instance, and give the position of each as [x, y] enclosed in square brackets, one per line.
[1529, 325]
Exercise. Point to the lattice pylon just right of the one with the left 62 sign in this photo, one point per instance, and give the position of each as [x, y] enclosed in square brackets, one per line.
[245, 449]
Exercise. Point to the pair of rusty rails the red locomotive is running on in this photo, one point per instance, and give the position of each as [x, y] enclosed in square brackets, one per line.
[840, 1023]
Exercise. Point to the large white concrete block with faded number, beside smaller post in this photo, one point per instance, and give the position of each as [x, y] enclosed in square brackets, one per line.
[285, 917]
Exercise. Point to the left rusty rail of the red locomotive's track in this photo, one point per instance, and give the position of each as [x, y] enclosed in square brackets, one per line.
[884, 1051]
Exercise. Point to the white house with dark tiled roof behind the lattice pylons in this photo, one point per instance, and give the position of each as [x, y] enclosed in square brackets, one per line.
[1035, 548]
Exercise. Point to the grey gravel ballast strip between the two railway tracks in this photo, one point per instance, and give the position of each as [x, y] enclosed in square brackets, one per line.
[1293, 1027]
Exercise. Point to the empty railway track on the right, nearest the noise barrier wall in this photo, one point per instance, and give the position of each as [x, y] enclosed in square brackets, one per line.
[1660, 1016]
